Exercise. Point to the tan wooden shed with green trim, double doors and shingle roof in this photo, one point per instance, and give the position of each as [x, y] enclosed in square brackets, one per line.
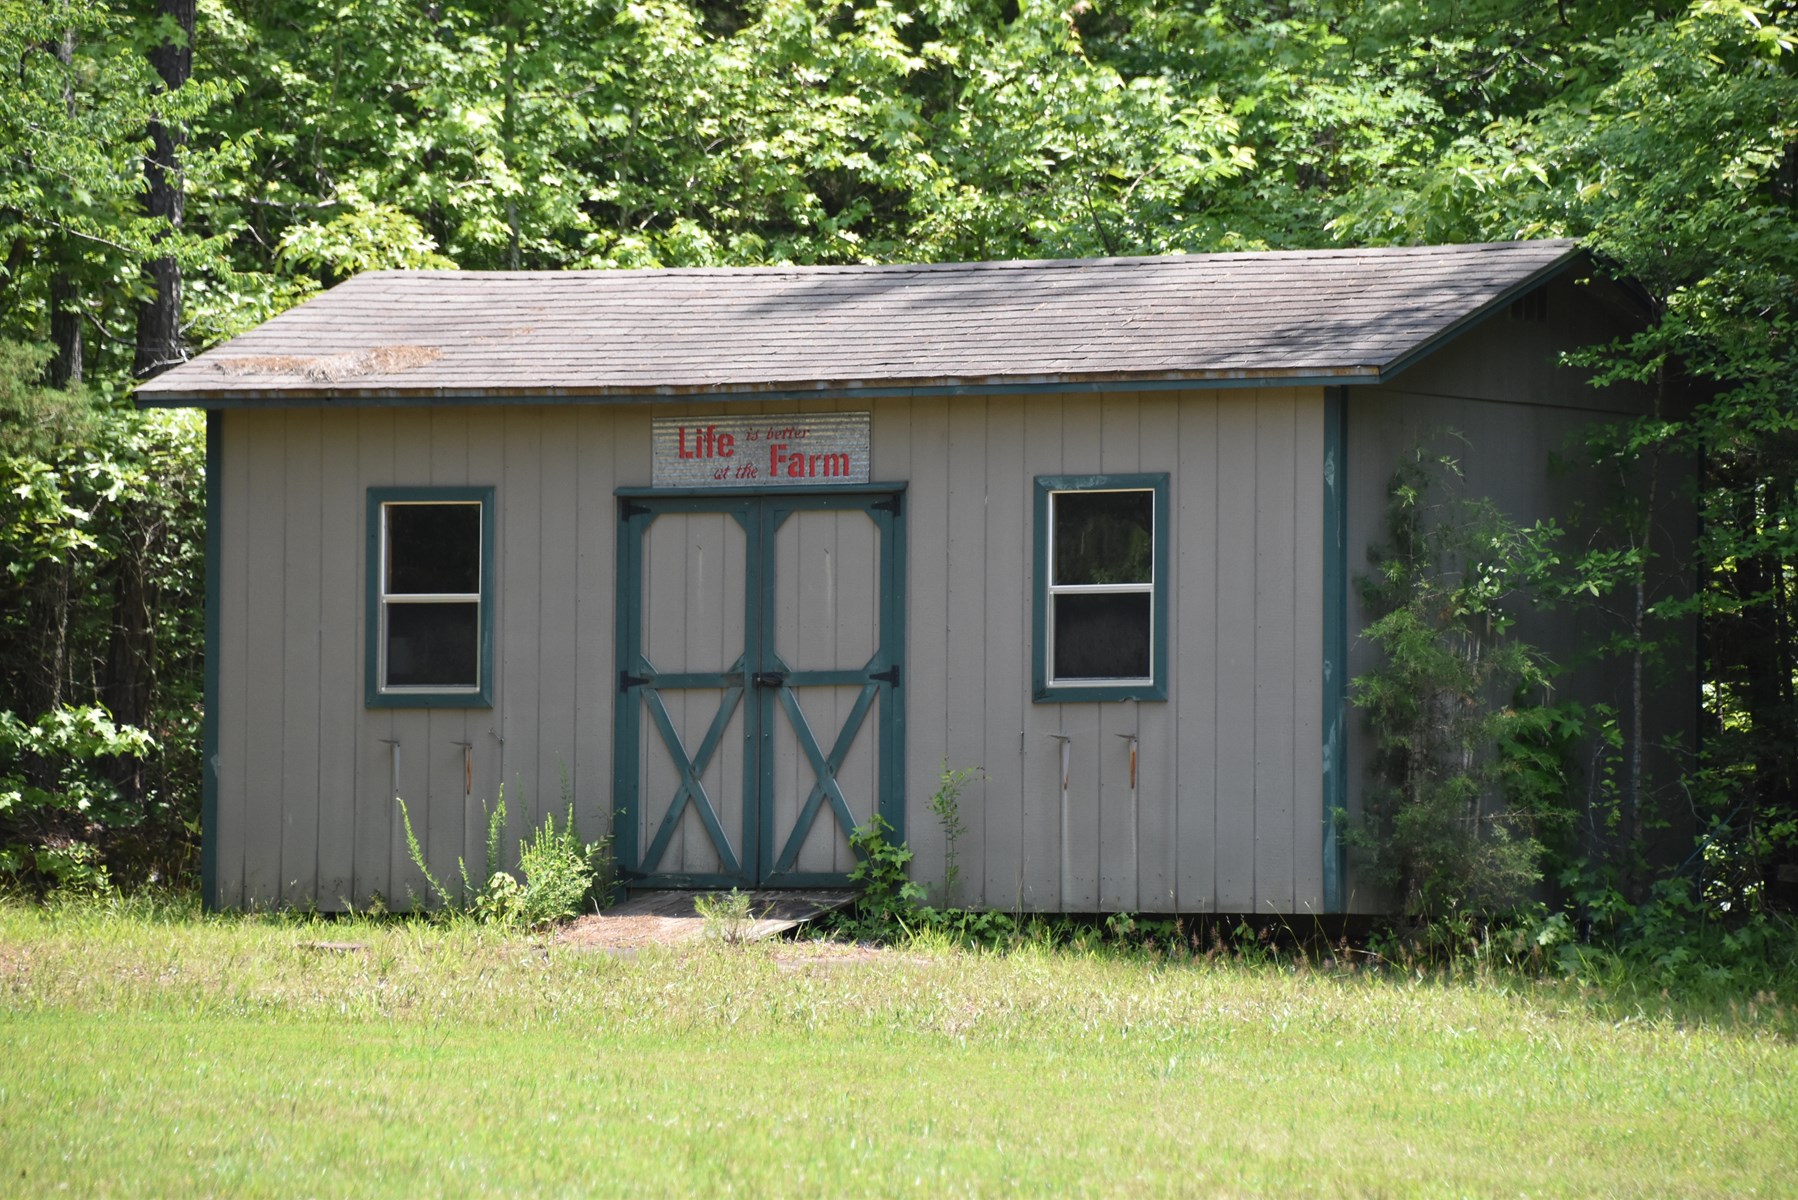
[736, 559]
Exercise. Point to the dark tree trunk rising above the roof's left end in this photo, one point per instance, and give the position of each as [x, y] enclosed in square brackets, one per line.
[159, 319]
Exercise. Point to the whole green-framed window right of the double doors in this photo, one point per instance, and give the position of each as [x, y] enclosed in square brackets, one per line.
[1101, 587]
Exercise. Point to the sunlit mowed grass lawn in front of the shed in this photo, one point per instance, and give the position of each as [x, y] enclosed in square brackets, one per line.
[166, 1055]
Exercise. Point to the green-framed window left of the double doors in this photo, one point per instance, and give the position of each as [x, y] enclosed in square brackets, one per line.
[431, 598]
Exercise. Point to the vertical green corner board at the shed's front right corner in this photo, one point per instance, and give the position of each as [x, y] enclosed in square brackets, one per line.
[1335, 647]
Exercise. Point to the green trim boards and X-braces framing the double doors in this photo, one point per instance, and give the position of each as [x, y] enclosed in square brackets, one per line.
[763, 688]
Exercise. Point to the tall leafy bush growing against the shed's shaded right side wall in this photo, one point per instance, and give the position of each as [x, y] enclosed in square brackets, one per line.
[1470, 778]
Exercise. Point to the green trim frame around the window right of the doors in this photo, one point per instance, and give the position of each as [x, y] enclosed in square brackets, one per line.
[1155, 686]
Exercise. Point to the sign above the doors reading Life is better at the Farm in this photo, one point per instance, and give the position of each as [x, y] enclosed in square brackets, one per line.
[754, 451]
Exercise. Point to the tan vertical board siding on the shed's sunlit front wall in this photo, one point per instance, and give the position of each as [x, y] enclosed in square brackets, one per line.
[1225, 816]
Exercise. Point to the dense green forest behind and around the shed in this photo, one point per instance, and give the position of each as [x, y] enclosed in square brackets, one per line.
[174, 172]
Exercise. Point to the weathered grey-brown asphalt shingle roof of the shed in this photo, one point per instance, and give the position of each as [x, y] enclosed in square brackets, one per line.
[828, 330]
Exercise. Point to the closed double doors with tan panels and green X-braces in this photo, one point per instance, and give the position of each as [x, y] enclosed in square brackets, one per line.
[760, 706]
